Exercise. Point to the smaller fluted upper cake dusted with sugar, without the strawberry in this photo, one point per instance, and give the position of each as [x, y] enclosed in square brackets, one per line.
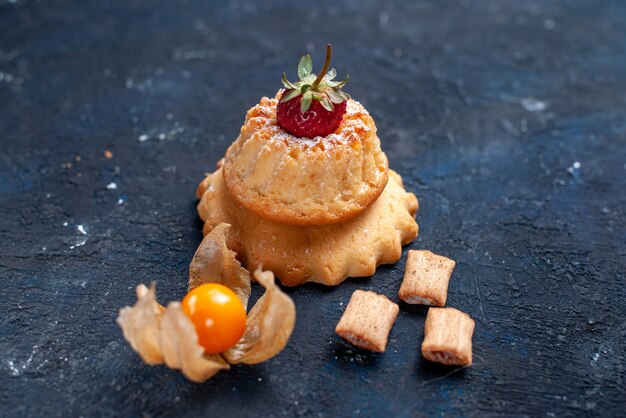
[301, 181]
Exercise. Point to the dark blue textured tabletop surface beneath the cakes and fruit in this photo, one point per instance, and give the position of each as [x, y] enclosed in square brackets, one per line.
[506, 118]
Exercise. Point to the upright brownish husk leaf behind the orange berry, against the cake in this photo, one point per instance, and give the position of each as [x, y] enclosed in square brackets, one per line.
[214, 262]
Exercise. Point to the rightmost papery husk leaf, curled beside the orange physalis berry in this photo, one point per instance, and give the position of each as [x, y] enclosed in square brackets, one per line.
[269, 325]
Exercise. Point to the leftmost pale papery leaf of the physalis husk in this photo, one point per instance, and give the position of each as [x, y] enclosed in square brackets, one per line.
[140, 325]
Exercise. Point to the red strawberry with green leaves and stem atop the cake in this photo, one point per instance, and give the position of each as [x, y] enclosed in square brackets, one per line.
[315, 105]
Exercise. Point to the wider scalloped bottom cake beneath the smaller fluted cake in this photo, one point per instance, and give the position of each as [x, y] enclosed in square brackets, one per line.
[324, 254]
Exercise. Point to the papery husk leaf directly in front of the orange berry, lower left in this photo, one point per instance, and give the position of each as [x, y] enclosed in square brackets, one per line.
[179, 343]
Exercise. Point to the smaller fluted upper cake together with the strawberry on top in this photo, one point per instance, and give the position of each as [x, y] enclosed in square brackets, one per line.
[310, 156]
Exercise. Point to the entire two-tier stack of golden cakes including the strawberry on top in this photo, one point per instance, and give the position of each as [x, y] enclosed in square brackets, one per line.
[307, 188]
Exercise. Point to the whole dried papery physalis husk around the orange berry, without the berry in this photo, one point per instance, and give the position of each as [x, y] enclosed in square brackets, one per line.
[167, 335]
